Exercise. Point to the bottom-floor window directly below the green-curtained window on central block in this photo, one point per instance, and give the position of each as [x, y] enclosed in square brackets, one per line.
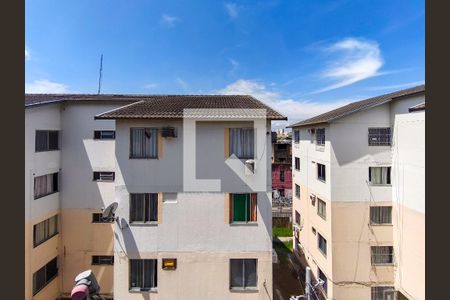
[243, 273]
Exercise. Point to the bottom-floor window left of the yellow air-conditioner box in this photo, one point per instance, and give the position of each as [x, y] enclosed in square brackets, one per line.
[143, 274]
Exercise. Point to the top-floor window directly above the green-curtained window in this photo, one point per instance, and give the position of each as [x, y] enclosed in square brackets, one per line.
[242, 142]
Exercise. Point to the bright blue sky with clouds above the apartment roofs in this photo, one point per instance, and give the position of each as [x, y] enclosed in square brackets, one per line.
[301, 57]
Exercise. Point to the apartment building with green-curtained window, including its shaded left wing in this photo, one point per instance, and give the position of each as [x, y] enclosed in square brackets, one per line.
[84, 152]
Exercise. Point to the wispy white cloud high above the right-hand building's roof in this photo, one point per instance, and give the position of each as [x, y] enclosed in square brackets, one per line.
[356, 60]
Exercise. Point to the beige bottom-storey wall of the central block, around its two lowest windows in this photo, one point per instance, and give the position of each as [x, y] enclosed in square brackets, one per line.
[199, 275]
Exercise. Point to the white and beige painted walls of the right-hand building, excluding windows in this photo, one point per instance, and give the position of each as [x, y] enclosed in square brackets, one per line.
[347, 195]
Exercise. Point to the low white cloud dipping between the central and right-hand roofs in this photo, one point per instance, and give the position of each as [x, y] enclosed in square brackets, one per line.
[295, 110]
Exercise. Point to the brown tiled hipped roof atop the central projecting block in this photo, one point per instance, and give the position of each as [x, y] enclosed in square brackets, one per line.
[172, 106]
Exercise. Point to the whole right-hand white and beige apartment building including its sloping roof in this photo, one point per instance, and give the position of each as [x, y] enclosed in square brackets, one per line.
[355, 222]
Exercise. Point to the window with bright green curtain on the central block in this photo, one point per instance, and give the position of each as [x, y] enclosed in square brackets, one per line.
[244, 207]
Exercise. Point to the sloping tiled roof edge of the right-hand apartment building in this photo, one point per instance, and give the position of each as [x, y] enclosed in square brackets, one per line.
[357, 106]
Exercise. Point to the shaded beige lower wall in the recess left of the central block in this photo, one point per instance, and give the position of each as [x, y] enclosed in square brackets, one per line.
[81, 240]
